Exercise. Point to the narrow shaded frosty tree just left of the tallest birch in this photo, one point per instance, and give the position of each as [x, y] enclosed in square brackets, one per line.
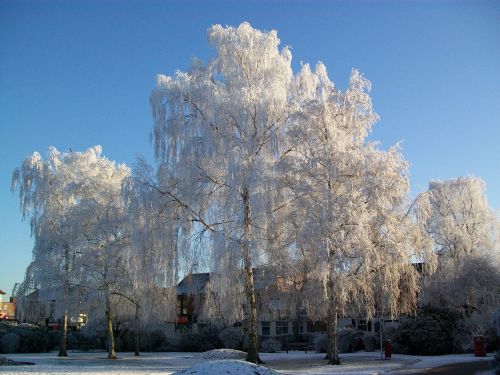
[152, 260]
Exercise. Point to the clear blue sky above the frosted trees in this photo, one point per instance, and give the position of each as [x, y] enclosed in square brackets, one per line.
[79, 73]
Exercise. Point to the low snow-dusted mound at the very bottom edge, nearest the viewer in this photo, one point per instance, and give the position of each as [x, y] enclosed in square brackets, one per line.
[226, 367]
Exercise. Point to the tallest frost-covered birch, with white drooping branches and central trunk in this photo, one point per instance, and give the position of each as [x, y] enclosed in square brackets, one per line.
[216, 137]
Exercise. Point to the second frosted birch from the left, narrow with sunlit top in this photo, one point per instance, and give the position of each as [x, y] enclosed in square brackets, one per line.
[105, 231]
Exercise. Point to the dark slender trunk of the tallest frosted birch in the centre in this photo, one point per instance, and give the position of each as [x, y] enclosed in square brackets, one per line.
[253, 338]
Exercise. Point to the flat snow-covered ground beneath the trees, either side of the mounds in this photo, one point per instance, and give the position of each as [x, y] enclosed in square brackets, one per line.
[361, 363]
